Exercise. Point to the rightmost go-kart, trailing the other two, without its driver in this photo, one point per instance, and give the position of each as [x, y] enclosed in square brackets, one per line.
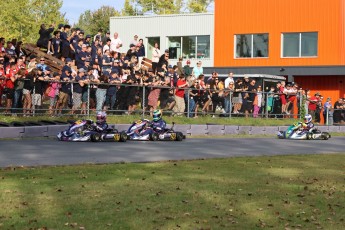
[297, 134]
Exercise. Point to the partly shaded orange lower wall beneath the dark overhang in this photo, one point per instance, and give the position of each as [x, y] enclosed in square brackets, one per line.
[328, 86]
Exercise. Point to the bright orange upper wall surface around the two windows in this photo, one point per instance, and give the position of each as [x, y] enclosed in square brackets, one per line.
[275, 17]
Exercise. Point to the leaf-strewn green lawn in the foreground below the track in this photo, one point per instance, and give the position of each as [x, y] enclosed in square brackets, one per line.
[280, 192]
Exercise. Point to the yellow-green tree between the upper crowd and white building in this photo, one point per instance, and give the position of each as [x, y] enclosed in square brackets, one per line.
[92, 21]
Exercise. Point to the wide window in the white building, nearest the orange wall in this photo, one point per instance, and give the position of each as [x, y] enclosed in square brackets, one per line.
[189, 47]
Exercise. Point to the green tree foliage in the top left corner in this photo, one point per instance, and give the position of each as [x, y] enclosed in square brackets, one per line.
[21, 19]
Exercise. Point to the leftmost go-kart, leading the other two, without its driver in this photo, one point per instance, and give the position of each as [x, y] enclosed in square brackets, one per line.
[85, 130]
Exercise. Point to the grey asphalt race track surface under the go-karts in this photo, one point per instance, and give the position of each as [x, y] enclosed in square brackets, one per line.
[36, 152]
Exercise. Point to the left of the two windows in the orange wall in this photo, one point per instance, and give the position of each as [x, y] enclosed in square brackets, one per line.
[251, 45]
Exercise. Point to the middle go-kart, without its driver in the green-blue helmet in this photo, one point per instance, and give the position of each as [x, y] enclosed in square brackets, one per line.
[143, 130]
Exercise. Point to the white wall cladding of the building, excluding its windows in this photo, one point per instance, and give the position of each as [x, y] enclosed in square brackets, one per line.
[164, 26]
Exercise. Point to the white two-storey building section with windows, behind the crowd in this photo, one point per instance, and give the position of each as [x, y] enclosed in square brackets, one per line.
[185, 35]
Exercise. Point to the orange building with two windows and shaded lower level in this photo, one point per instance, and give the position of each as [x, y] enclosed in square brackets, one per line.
[302, 40]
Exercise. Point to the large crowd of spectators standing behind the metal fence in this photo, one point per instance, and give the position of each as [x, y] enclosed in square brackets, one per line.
[100, 73]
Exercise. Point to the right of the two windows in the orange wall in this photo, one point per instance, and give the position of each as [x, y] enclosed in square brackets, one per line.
[299, 44]
